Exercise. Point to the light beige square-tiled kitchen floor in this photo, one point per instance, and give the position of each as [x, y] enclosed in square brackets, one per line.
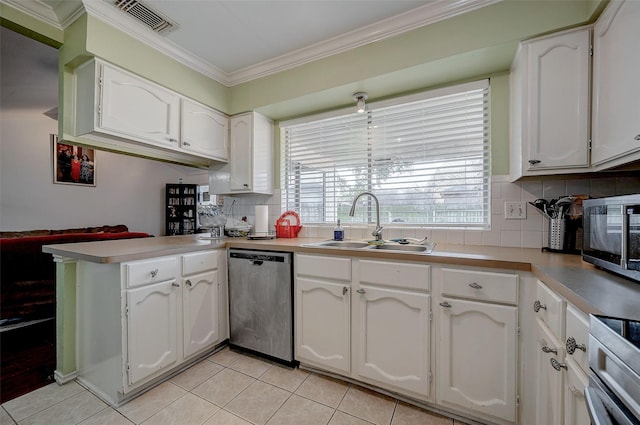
[228, 388]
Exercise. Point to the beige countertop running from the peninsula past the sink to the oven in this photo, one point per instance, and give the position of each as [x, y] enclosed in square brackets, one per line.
[588, 288]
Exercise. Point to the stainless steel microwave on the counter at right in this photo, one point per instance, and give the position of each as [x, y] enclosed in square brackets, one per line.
[611, 238]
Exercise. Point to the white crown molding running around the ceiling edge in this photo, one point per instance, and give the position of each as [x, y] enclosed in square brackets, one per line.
[67, 11]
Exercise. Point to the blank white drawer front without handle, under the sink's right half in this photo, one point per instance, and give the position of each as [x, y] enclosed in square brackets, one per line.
[403, 275]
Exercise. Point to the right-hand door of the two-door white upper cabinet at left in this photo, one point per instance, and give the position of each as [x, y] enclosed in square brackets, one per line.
[204, 131]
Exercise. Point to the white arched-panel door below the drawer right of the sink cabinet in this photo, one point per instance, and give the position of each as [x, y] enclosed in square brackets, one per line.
[477, 354]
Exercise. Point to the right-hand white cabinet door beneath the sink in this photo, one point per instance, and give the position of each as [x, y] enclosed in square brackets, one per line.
[392, 330]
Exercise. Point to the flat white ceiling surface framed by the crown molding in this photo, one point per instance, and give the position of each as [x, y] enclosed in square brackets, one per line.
[233, 35]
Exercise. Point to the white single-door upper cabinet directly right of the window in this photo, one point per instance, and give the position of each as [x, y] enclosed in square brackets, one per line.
[550, 105]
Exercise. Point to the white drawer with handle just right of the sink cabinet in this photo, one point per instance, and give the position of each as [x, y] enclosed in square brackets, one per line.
[476, 285]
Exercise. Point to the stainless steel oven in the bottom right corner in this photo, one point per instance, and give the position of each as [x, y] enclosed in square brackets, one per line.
[613, 394]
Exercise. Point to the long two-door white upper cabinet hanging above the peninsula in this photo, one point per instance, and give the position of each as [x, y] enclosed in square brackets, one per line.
[118, 110]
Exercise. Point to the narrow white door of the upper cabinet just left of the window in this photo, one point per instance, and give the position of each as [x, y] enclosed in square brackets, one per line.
[241, 153]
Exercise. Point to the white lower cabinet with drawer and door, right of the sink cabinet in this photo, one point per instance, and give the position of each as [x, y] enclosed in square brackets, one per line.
[478, 343]
